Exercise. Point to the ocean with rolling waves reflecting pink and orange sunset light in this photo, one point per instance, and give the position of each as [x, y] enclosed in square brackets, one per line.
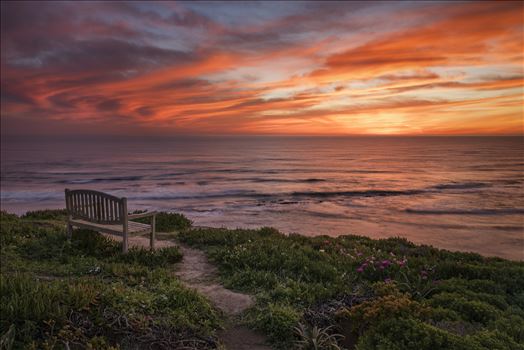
[457, 193]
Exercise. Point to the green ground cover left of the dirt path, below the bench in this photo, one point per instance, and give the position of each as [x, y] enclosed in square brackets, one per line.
[58, 294]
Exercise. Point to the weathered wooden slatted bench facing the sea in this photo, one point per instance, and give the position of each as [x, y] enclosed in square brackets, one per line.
[103, 212]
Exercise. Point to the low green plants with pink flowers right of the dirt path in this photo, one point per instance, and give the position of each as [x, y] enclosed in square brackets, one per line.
[376, 294]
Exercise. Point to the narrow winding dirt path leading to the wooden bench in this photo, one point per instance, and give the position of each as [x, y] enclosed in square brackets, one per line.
[197, 273]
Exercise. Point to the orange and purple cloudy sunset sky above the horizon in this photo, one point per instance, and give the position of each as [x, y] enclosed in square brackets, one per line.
[262, 68]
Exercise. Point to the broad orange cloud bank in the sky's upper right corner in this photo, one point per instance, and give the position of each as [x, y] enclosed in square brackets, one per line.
[468, 36]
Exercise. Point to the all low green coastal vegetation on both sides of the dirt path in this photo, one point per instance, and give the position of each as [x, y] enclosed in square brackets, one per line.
[349, 292]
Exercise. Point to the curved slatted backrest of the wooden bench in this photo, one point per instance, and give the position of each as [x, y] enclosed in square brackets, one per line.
[96, 206]
